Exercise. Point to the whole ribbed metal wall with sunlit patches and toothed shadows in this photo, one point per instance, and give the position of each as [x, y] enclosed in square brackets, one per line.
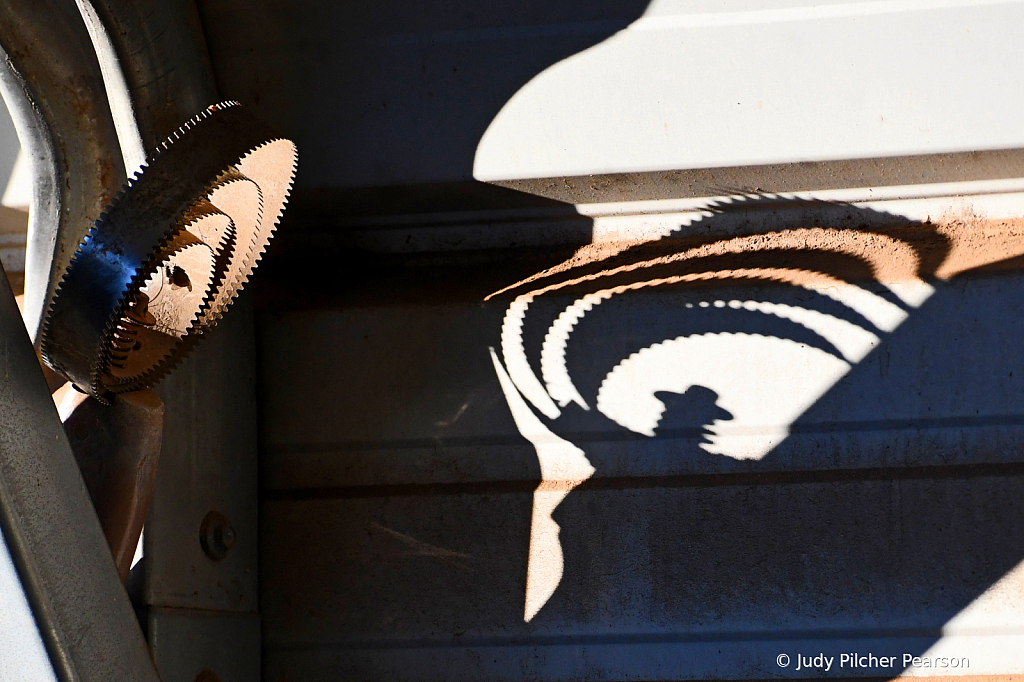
[569, 427]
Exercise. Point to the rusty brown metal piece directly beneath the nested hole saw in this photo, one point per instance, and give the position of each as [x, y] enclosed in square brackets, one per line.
[117, 448]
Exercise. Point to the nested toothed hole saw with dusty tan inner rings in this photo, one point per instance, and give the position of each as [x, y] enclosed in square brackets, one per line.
[167, 259]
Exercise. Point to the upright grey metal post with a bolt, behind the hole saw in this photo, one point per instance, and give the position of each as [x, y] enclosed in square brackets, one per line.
[197, 625]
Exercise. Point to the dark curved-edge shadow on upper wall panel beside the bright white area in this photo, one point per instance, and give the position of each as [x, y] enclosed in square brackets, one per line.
[390, 101]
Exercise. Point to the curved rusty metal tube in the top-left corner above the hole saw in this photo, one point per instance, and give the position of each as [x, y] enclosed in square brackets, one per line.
[55, 90]
